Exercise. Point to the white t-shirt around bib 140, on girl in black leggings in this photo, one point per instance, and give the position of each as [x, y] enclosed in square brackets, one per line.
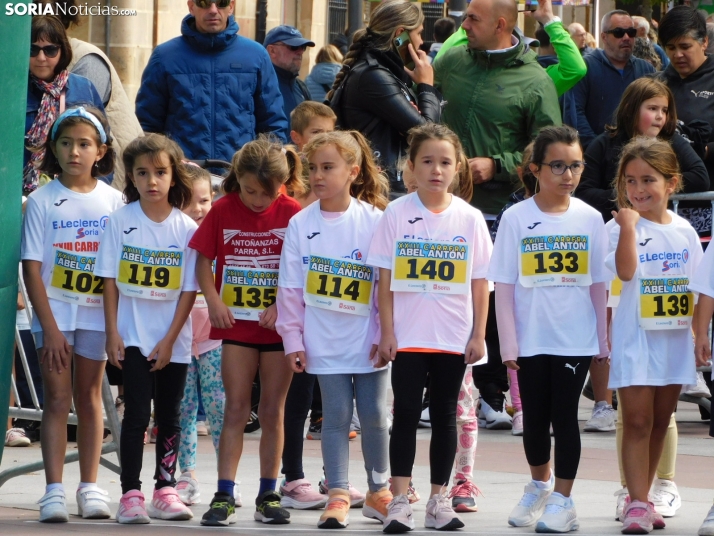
[429, 320]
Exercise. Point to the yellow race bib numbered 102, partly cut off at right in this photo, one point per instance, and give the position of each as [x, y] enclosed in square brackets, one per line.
[73, 279]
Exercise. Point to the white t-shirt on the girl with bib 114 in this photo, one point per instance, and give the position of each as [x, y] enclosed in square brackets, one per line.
[335, 342]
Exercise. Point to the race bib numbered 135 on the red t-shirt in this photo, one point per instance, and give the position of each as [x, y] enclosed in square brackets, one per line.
[248, 291]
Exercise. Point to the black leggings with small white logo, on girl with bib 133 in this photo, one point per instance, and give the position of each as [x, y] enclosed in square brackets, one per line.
[550, 391]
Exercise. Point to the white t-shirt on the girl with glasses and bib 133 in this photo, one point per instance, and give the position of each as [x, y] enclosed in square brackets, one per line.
[553, 320]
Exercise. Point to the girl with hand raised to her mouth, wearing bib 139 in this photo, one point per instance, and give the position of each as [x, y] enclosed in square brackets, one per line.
[654, 252]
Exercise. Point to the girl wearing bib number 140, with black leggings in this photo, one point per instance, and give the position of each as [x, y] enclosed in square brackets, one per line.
[432, 249]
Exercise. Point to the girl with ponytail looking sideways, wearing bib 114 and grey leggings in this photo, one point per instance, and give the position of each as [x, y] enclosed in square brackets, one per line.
[327, 316]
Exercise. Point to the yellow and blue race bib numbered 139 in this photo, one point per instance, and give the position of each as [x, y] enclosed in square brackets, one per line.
[665, 303]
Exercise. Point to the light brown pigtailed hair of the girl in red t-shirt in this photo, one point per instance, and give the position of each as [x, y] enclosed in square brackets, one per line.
[271, 163]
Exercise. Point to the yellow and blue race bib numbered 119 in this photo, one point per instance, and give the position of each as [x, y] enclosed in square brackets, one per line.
[151, 274]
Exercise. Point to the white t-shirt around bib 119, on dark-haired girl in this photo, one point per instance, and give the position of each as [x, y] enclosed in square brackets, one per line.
[144, 322]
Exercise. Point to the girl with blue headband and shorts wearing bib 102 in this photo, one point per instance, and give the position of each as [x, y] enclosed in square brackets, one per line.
[64, 221]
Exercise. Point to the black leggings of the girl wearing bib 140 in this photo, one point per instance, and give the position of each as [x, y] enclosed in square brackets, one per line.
[409, 371]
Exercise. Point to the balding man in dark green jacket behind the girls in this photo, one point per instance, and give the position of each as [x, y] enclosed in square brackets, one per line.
[498, 98]
